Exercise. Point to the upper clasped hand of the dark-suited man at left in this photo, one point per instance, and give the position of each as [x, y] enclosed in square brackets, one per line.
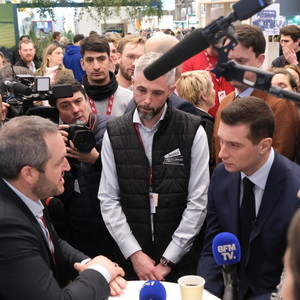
[113, 269]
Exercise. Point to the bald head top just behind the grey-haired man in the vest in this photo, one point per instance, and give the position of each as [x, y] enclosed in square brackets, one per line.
[160, 42]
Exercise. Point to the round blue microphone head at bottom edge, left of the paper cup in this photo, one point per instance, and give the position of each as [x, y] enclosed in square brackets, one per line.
[153, 290]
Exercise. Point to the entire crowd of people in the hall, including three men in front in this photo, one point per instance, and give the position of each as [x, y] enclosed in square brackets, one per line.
[172, 163]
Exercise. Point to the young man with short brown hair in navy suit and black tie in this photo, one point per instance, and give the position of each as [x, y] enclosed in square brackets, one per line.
[245, 134]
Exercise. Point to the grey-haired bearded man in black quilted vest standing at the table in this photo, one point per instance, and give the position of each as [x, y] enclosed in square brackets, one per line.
[153, 188]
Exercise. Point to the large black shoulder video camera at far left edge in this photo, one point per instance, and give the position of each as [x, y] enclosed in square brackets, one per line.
[24, 92]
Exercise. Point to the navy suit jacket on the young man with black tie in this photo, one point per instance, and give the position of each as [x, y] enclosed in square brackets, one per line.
[268, 236]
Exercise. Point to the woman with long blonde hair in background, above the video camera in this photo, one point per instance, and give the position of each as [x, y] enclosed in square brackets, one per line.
[52, 65]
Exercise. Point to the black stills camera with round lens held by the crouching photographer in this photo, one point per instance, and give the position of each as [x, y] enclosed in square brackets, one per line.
[82, 137]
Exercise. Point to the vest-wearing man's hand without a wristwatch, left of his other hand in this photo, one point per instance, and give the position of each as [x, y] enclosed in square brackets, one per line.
[144, 265]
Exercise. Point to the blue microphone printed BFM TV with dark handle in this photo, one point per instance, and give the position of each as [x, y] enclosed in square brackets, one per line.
[227, 253]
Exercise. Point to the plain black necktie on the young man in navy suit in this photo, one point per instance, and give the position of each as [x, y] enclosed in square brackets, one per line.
[247, 216]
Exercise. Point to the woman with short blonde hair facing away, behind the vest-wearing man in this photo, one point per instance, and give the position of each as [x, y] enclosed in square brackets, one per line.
[198, 88]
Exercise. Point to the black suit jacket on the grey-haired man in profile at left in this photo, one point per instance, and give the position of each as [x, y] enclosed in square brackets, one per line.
[27, 270]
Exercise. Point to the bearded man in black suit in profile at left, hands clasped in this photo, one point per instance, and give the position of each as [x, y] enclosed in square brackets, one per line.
[34, 262]
